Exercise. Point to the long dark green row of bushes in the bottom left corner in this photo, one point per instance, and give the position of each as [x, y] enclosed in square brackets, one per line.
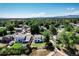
[15, 51]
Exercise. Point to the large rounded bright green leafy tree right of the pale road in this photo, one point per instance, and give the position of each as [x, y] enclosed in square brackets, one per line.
[67, 38]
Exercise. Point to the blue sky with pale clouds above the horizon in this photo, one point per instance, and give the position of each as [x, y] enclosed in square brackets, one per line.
[26, 10]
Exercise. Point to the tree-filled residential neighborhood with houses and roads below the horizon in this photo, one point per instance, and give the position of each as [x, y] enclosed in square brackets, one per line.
[41, 40]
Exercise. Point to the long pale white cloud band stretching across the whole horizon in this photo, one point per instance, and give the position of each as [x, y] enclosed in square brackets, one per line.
[41, 14]
